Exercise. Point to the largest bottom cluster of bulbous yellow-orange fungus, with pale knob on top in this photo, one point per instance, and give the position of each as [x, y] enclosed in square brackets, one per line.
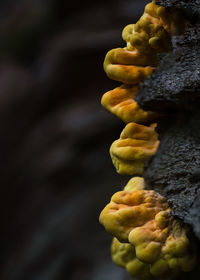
[148, 241]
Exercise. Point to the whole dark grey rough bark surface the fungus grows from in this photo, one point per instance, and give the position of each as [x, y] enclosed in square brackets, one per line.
[175, 89]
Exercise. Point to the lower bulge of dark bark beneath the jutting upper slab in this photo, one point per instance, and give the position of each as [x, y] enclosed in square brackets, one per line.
[175, 170]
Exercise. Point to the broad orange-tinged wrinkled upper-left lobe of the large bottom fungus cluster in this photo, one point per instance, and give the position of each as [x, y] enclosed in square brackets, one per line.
[129, 210]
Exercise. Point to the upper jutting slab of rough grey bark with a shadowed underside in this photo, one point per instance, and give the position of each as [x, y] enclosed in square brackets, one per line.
[176, 82]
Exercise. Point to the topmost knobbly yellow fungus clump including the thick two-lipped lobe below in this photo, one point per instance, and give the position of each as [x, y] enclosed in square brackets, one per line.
[150, 35]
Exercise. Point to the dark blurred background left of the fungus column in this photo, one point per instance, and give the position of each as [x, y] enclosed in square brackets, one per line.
[56, 172]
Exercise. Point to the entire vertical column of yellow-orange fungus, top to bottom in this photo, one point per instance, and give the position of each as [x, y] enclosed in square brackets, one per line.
[148, 241]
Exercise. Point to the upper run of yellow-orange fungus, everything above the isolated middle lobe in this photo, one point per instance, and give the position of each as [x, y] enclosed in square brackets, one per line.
[138, 59]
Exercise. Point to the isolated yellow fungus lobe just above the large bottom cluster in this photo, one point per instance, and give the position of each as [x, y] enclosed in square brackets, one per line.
[136, 145]
